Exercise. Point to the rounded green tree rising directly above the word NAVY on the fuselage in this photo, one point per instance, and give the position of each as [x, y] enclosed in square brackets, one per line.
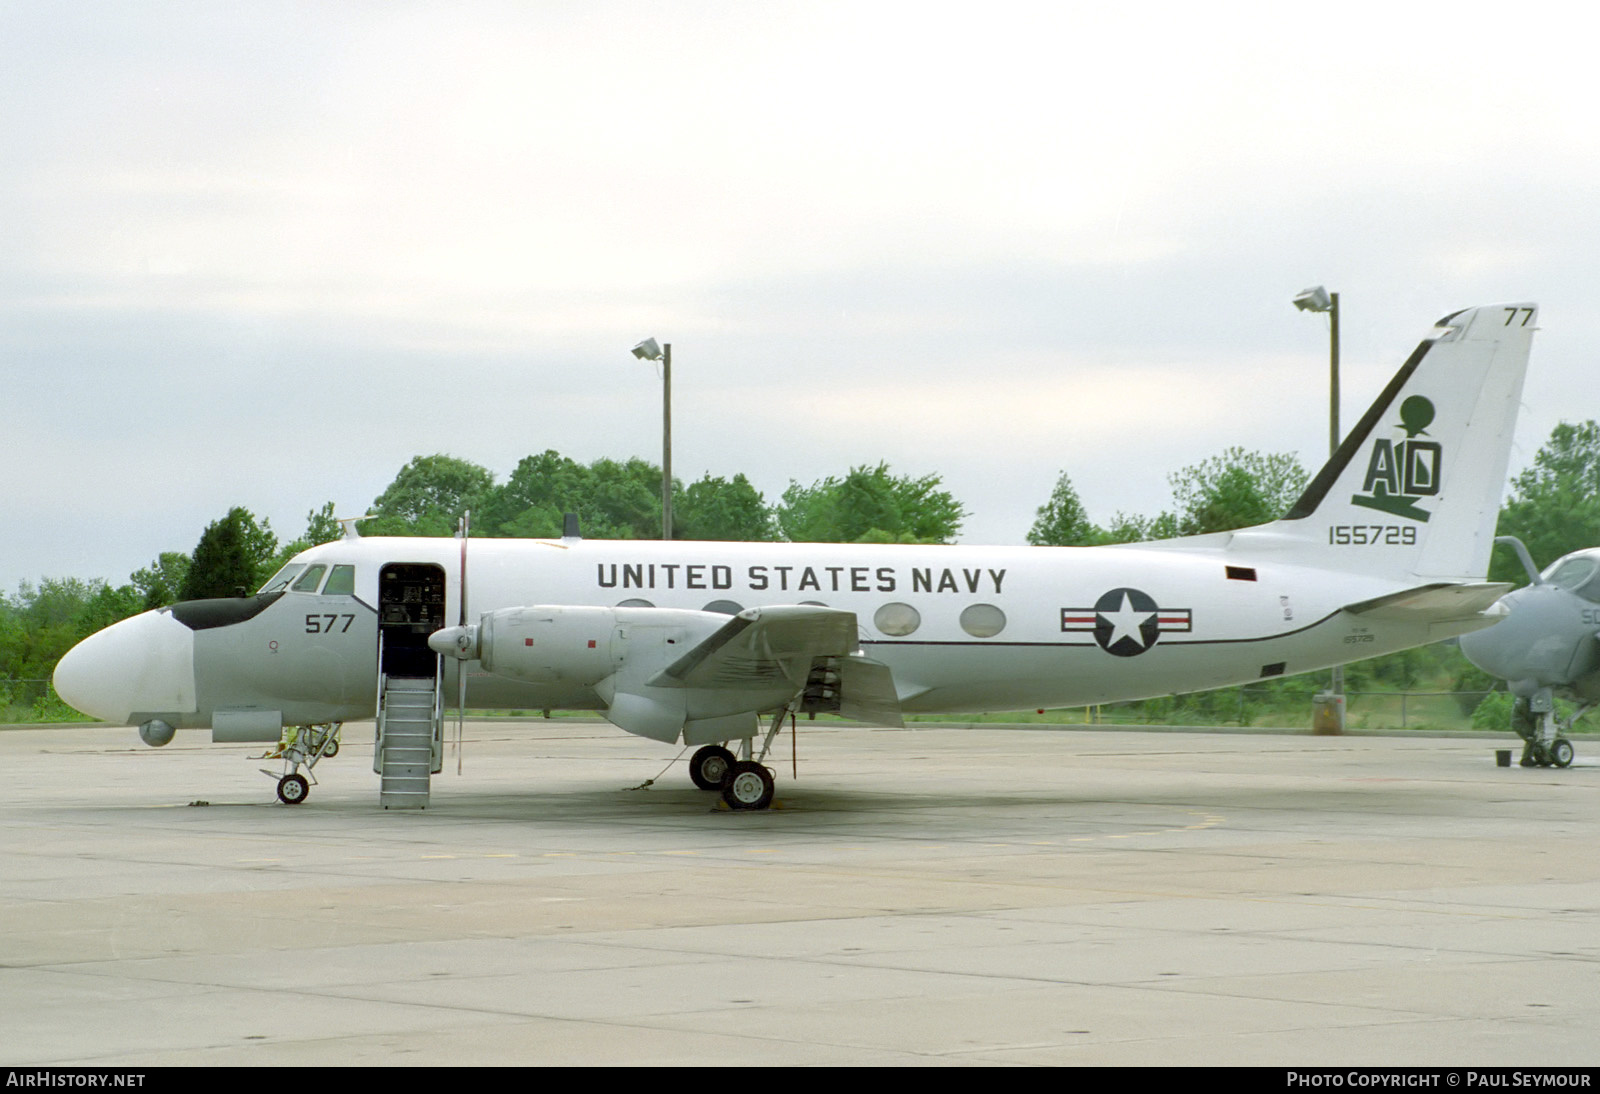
[870, 505]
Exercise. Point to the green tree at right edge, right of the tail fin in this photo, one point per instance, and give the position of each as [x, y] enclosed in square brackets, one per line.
[1554, 506]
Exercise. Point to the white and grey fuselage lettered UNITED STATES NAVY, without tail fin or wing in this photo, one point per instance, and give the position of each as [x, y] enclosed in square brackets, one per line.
[964, 629]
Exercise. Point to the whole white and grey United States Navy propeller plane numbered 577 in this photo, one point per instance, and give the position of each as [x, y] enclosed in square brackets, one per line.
[695, 642]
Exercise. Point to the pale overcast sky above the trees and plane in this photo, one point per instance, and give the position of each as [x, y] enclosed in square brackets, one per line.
[263, 255]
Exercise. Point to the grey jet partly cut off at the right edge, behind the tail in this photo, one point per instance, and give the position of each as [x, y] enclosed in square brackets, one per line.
[1546, 647]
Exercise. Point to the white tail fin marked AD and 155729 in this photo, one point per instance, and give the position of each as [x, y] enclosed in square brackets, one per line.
[1415, 489]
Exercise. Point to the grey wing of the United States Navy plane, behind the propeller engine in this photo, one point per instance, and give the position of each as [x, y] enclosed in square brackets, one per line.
[764, 647]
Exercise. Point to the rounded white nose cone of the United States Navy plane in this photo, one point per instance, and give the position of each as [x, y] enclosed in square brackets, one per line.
[140, 666]
